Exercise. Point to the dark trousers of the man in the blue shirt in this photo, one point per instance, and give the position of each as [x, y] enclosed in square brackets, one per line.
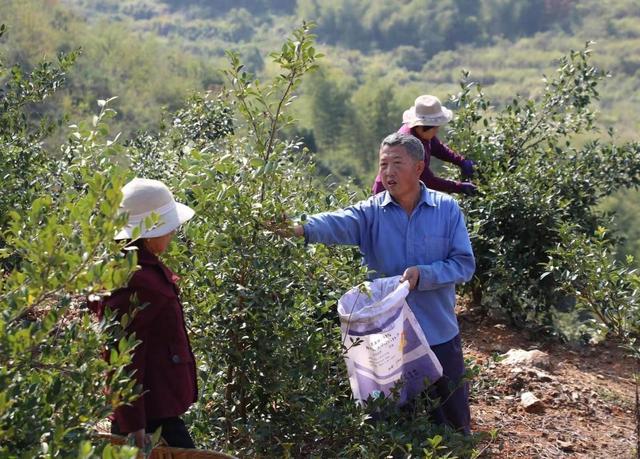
[454, 396]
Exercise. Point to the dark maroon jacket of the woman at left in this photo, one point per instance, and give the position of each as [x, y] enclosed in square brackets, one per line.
[163, 361]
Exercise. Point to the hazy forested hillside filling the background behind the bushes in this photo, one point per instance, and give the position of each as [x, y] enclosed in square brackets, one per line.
[379, 55]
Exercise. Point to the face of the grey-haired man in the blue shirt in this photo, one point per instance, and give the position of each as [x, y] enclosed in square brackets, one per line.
[399, 172]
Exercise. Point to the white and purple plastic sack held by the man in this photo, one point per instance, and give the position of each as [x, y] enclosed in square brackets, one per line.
[393, 347]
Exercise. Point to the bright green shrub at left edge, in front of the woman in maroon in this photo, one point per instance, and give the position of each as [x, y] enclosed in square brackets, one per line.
[52, 377]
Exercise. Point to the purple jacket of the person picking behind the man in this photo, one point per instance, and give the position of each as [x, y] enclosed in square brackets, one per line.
[439, 150]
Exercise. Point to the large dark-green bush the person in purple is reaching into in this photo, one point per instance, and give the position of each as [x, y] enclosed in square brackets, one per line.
[536, 175]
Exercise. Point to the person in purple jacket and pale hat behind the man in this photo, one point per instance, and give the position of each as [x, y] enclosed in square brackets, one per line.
[423, 120]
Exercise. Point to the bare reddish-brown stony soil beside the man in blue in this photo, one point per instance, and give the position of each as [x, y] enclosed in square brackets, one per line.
[588, 395]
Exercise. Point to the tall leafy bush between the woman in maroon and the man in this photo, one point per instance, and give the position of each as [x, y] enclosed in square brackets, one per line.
[261, 307]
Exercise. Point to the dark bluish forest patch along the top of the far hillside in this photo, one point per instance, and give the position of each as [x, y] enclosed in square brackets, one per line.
[432, 26]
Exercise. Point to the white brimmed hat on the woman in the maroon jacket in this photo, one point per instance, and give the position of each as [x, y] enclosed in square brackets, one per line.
[143, 197]
